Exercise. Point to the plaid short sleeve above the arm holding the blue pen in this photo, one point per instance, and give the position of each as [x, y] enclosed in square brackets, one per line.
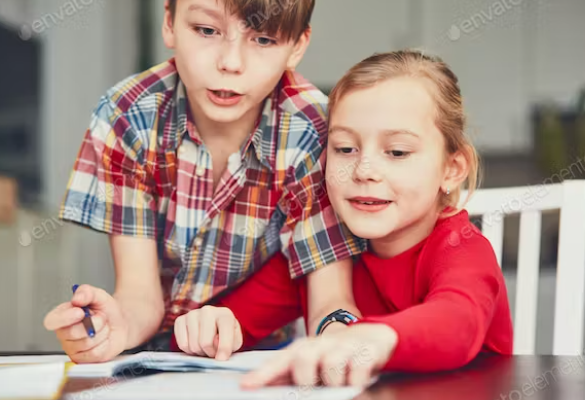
[109, 189]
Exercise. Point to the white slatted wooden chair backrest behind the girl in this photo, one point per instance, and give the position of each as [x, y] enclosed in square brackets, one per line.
[530, 201]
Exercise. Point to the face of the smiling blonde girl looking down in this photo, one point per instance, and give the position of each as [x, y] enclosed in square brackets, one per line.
[386, 162]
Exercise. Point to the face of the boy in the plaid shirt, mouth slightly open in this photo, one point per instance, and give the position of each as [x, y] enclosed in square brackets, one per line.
[228, 70]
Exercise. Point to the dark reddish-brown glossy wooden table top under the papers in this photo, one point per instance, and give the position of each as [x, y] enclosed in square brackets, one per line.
[486, 378]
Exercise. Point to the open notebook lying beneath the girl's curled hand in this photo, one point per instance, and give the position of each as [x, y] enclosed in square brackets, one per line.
[134, 364]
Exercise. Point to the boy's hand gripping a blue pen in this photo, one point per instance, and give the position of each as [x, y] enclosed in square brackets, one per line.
[111, 330]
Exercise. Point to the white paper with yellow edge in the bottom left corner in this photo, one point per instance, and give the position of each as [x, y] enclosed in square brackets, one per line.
[40, 381]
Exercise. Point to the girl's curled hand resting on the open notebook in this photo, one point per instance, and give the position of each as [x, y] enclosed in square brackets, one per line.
[209, 331]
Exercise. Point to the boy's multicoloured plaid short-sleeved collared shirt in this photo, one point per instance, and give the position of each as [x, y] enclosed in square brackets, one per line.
[143, 171]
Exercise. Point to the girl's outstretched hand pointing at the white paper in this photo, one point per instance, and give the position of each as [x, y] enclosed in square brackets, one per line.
[348, 357]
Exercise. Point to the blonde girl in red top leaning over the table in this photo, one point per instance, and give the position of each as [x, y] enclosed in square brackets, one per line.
[430, 291]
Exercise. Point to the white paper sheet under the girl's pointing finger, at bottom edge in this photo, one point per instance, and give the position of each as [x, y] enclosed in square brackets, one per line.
[209, 386]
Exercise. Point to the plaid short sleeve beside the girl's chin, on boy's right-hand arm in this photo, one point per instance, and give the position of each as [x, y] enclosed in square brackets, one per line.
[313, 235]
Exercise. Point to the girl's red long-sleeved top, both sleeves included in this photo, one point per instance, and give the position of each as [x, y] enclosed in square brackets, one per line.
[445, 297]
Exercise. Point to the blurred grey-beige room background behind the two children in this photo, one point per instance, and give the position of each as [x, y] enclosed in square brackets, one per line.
[520, 63]
